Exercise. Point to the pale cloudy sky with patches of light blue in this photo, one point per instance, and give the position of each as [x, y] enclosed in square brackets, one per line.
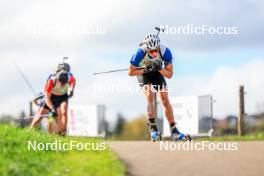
[103, 35]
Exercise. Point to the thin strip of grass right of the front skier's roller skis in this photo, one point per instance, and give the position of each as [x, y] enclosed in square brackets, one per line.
[252, 137]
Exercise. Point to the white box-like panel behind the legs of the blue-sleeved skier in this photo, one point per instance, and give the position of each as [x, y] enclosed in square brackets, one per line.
[193, 115]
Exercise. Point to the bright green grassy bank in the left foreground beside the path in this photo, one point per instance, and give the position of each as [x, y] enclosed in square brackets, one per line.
[16, 159]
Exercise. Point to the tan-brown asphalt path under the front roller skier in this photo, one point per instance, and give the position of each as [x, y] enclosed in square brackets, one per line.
[145, 158]
